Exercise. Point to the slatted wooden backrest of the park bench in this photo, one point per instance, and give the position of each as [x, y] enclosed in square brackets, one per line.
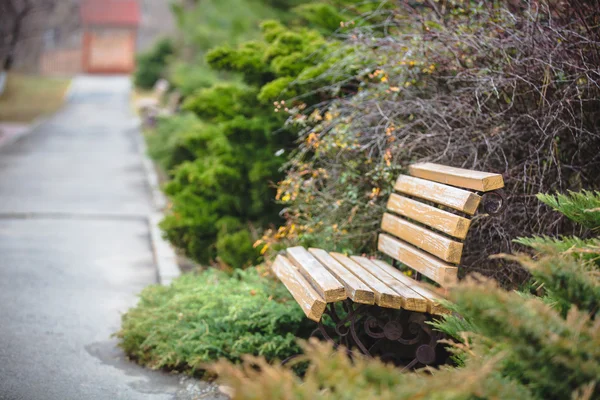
[431, 216]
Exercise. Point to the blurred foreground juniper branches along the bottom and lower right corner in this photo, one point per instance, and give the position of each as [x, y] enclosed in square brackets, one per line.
[543, 343]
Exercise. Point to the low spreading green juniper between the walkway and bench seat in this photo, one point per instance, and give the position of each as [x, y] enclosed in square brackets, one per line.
[204, 317]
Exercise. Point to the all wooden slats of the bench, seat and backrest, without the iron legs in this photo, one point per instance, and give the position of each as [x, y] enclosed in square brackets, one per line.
[424, 228]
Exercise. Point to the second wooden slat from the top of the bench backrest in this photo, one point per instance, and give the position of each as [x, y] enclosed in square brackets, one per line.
[459, 199]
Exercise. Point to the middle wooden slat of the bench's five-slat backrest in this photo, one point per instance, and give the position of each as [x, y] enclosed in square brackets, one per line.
[436, 218]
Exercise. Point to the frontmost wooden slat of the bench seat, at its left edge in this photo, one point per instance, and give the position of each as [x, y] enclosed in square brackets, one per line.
[309, 300]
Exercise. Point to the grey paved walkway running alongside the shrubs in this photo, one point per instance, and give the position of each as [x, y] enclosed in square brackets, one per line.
[74, 252]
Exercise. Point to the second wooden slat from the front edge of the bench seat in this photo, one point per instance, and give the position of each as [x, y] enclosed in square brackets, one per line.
[321, 279]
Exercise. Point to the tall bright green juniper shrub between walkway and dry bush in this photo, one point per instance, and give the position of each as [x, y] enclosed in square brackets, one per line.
[225, 165]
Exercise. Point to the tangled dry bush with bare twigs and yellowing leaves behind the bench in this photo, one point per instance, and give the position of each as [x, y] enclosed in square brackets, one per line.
[503, 86]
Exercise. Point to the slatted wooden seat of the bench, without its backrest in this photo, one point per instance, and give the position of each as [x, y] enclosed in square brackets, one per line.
[315, 278]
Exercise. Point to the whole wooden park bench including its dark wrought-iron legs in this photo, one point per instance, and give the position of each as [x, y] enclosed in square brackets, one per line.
[427, 220]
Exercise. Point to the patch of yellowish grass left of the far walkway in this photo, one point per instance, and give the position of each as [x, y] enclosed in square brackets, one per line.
[27, 97]
